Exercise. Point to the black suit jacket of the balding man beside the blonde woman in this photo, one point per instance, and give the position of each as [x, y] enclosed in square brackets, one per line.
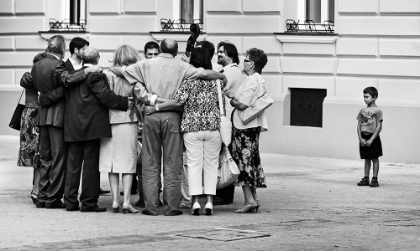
[86, 114]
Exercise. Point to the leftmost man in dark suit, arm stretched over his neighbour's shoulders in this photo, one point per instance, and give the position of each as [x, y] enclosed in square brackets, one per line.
[48, 74]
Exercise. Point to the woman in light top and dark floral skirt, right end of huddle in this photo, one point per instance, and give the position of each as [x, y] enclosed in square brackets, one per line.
[245, 137]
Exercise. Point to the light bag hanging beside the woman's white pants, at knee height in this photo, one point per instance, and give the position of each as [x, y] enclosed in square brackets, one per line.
[228, 170]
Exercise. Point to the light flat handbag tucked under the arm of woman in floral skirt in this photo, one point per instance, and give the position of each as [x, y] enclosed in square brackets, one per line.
[262, 102]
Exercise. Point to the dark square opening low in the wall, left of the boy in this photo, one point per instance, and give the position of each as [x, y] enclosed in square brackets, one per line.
[306, 106]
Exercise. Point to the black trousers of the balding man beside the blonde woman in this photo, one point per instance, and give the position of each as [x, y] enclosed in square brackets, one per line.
[86, 153]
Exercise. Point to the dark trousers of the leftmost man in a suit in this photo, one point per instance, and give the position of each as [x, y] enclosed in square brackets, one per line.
[53, 164]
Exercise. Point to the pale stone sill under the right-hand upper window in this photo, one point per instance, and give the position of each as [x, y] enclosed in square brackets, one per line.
[312, 38]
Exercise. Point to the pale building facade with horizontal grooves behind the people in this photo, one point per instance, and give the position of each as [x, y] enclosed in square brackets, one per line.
[316, 79]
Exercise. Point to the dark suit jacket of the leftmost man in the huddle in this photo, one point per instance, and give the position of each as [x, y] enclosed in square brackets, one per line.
[48, 74]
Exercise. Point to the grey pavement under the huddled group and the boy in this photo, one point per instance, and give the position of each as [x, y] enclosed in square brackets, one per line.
[309, 204]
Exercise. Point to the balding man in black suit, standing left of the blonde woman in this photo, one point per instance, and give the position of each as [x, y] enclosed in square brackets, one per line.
[86, 122]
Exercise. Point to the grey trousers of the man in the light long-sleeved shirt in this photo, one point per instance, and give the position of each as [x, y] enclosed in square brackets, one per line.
[162, 136]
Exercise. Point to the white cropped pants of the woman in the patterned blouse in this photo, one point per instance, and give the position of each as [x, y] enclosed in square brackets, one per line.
[203, 150]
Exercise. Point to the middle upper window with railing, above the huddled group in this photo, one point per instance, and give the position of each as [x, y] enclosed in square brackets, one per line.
[185, 12]
